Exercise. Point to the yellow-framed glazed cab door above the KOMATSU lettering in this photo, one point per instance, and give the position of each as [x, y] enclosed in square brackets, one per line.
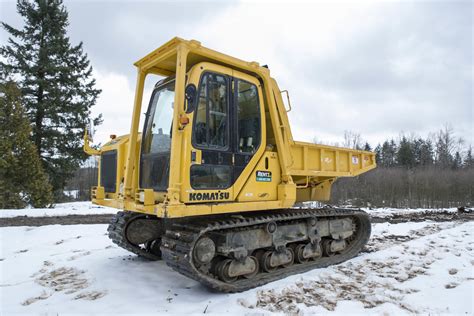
[227, 133]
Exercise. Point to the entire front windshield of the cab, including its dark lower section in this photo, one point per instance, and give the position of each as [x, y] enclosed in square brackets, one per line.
[156, 143]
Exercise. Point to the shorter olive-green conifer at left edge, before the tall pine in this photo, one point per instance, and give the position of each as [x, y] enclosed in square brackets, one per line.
[22, 180]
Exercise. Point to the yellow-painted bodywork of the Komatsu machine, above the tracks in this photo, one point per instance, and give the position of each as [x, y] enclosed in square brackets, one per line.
[278, 173]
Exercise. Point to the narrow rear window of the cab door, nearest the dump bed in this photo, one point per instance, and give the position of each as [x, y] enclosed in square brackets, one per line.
[248, 117]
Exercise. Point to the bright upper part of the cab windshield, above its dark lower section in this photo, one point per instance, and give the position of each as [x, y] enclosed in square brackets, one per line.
[160, 116]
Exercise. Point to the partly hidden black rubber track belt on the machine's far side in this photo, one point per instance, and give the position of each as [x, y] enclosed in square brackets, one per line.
[116, 230]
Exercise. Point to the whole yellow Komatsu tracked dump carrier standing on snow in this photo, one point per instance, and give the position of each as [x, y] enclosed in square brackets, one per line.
[210, 184]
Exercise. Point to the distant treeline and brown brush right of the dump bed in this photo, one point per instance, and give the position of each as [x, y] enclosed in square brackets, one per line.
[412, 172]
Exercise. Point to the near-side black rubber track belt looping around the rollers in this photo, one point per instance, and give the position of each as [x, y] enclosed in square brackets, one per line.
[179, 240]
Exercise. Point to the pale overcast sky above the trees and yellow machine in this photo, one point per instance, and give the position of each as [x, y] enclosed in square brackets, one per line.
[374, 68]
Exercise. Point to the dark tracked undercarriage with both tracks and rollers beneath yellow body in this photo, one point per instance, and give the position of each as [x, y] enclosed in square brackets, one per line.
[239, 252]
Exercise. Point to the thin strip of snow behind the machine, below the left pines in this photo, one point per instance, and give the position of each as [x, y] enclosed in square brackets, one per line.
[60, 209]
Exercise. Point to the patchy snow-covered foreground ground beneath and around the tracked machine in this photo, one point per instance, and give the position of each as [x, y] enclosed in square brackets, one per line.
[423, 267]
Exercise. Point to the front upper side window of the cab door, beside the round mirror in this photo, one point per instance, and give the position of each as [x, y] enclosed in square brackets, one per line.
[211, 124]
